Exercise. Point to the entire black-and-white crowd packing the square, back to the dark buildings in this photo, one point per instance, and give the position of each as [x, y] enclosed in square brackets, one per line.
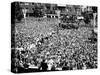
[40, 44]
